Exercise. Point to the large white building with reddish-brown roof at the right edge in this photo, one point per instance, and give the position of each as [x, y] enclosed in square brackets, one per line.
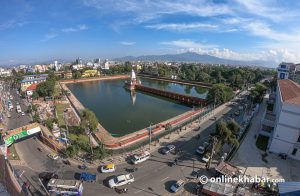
[285, 137]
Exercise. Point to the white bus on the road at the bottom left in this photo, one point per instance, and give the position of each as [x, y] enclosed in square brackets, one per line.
[65, 187]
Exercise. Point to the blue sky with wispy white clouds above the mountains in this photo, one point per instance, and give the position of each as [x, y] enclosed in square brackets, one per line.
[32, 31]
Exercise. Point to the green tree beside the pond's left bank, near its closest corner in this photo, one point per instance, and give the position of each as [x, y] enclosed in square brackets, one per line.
[88, 120]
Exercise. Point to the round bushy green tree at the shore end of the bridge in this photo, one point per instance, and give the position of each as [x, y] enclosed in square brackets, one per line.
[220, 93]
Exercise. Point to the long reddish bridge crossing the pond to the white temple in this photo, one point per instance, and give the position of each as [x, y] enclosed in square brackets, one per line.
[172, 95]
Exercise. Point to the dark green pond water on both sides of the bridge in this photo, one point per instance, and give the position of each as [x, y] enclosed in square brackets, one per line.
[121, 112]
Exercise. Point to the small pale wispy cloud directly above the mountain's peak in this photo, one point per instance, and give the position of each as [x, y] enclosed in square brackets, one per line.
[187, 44]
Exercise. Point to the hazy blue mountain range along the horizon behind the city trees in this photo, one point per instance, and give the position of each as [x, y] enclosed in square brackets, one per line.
[195, 57]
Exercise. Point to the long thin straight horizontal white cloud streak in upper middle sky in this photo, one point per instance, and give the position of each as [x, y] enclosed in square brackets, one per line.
[182, 26]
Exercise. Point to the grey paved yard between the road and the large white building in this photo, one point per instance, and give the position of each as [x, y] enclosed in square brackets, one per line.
[249, 158]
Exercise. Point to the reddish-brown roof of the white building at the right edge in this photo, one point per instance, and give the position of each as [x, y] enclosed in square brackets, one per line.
[290, 91]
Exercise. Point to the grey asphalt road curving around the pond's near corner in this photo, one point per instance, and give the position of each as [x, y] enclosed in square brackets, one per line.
[154, 177]
